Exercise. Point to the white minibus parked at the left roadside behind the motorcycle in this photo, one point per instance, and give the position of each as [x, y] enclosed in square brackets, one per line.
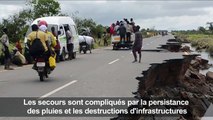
[59, 22]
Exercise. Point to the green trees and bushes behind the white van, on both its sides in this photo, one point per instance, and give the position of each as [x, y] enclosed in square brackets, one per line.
[18, 23]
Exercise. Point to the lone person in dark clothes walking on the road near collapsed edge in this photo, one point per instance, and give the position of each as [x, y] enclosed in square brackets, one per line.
[137, 44]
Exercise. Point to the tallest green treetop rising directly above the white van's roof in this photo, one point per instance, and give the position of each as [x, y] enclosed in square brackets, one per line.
[45, 8]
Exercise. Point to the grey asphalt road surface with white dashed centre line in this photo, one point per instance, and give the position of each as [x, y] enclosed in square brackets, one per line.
[104, 73]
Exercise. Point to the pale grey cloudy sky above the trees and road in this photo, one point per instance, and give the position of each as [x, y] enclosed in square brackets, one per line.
[158, 14]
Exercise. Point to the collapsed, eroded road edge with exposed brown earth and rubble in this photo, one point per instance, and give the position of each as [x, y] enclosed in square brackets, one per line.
[177, 78]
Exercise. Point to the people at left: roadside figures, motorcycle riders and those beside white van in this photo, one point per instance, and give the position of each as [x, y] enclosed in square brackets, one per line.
[50, 45]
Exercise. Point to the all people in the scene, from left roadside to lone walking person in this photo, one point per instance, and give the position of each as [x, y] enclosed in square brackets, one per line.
[51, 46]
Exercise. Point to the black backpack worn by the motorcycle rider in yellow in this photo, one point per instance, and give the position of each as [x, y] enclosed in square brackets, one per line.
[36, 48]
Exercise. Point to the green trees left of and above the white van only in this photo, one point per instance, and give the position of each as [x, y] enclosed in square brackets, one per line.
[18, 23]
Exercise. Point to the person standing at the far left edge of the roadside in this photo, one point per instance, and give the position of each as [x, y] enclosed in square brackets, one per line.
[5, 48]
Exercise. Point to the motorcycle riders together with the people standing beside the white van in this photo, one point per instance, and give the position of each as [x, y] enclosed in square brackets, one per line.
[49, 40]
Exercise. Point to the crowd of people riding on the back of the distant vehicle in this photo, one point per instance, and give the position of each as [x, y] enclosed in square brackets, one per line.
[123, 28]
